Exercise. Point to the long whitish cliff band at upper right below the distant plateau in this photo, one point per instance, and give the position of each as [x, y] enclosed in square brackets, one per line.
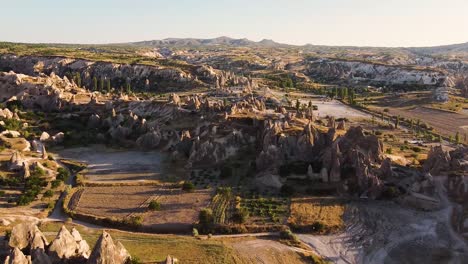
[376, 74]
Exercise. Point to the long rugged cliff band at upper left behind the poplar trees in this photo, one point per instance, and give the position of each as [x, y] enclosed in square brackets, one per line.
[142, 77]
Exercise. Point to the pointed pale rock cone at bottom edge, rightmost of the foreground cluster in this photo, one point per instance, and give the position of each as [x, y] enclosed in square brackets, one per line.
[106, 251]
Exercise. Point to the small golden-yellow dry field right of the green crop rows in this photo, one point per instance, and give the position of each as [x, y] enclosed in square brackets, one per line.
[322, 215]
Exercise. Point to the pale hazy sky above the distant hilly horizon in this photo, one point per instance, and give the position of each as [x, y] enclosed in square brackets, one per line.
[330, 22]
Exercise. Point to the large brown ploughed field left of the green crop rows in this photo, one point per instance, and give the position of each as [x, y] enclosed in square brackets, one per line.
[178, 209]
